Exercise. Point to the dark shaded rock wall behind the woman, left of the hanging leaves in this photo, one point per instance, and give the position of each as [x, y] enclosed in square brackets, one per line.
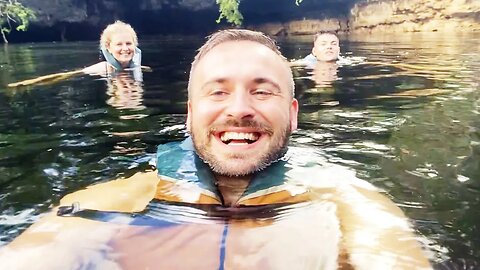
[85, 19]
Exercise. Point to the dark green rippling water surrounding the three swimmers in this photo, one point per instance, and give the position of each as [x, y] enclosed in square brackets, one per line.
[407, 121]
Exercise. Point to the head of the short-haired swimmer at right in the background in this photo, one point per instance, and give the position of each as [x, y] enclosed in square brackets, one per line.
[326, 46]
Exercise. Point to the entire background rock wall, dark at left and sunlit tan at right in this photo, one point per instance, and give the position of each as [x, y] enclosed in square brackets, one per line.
[84, 19]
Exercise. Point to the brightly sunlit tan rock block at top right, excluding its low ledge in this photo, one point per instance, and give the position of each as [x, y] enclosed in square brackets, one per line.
[416, 15]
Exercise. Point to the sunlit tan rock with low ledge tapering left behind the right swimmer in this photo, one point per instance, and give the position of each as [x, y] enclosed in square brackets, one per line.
[392, 16]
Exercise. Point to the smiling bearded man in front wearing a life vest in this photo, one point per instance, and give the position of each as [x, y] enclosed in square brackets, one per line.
[251, 205]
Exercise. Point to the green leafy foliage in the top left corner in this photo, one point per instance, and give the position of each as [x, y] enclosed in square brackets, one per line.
[11, 11]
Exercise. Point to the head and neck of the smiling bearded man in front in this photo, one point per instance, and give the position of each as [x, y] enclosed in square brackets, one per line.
[241, 115]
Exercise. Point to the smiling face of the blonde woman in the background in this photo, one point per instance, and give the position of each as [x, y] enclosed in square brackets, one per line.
[122, 47]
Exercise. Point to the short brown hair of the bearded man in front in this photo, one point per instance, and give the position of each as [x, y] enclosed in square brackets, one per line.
[230, 35]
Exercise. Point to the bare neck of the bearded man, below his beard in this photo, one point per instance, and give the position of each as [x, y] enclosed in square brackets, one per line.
[232, 188]
